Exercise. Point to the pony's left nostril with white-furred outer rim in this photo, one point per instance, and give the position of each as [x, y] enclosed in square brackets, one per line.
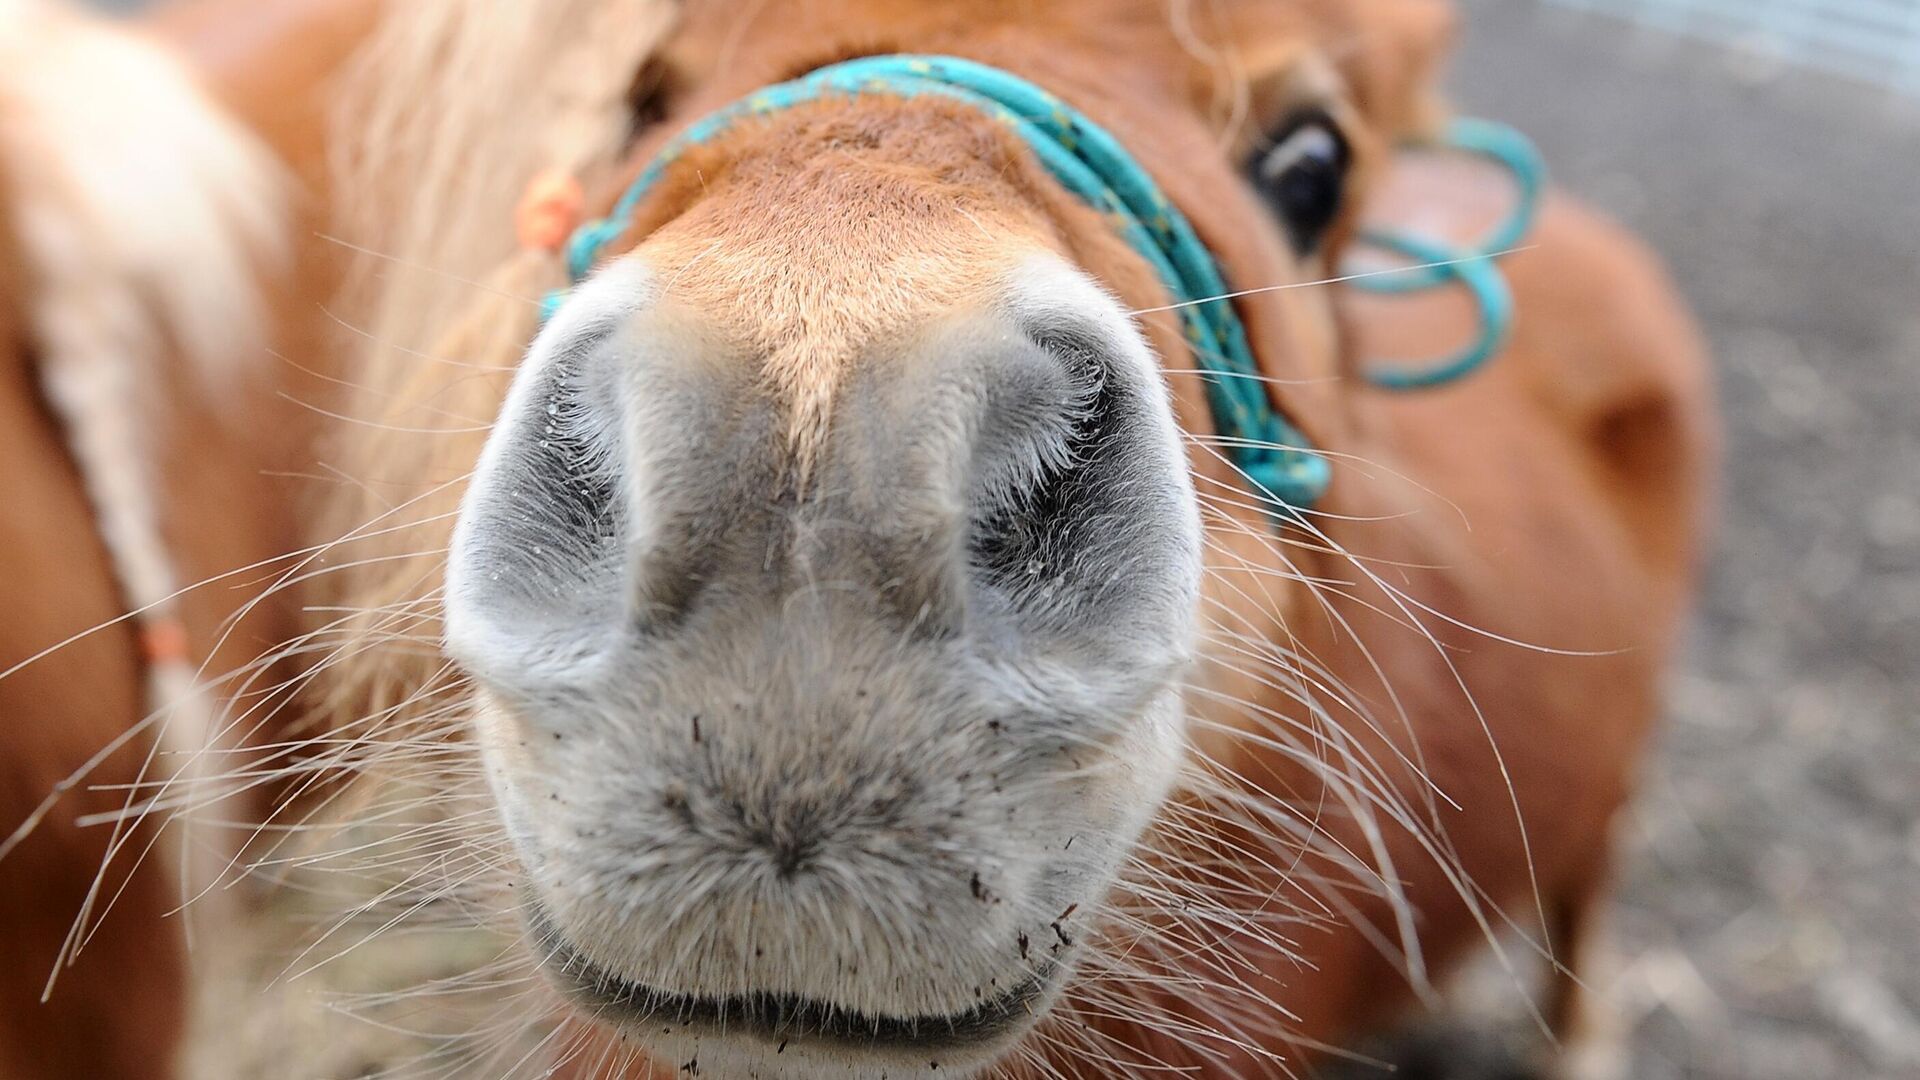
[587, 520]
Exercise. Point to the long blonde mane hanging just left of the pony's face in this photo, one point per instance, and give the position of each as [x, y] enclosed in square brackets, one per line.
[444, 120]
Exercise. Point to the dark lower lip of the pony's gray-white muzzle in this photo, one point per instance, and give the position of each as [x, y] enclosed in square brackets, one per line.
[784, 1018]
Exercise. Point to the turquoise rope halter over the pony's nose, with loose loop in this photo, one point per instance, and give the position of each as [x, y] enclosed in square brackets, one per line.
[1276, 458]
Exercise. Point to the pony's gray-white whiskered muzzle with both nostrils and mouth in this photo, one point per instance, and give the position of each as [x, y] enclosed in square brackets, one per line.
[804, 764]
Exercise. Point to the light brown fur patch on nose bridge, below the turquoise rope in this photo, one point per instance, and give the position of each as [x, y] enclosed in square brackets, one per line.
[807, 301]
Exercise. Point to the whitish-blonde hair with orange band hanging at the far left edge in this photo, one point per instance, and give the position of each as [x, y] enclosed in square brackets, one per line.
[124, 172]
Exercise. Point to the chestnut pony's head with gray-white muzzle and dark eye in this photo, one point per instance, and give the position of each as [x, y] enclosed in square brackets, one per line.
[832, 577]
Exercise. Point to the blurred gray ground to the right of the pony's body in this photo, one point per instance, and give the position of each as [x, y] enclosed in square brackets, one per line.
[1771, 916]
